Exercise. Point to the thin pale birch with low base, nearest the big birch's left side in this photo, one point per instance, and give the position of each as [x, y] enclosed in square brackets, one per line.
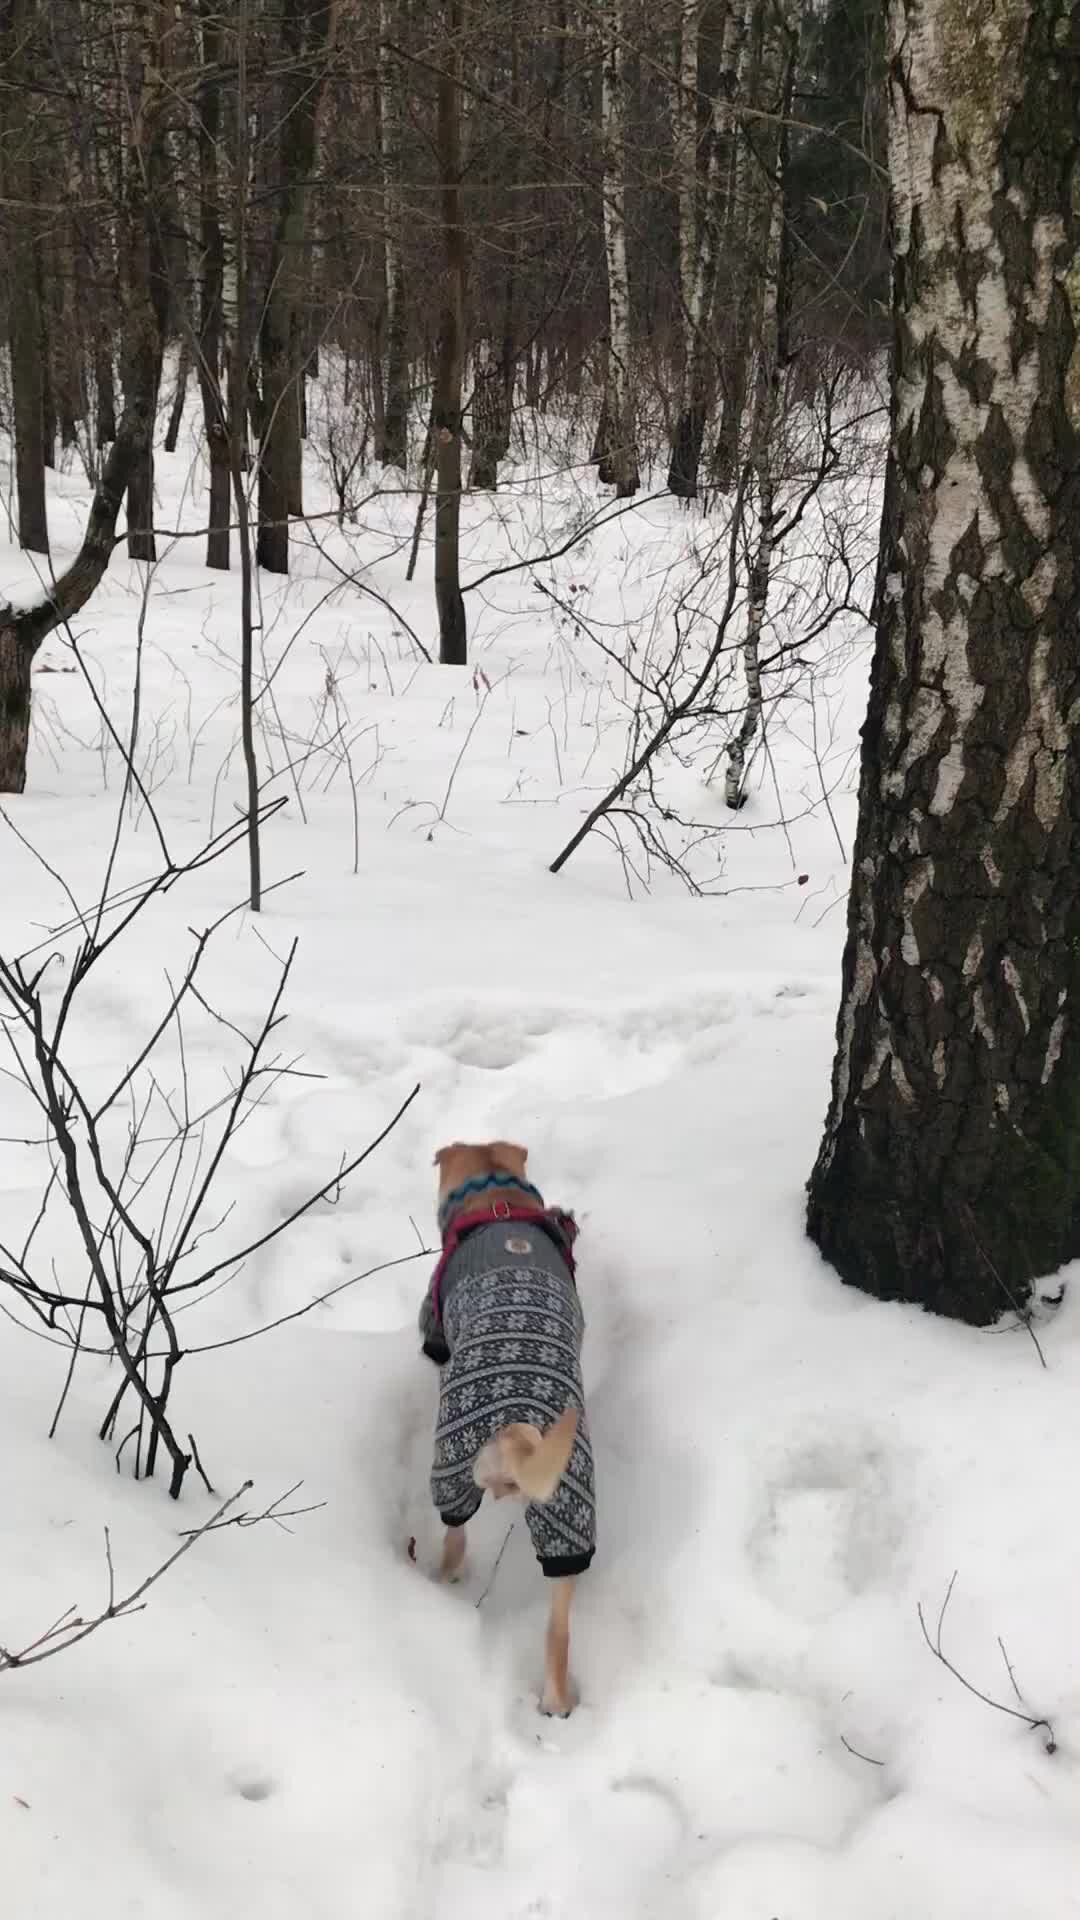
[772, 360]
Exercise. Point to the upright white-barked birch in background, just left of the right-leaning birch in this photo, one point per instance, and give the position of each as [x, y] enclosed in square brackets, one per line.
[620, 464]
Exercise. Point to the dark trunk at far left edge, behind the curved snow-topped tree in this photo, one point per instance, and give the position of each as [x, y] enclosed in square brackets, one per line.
[24, 306]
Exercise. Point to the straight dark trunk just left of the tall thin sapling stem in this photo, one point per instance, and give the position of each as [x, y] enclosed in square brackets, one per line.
[212, 293]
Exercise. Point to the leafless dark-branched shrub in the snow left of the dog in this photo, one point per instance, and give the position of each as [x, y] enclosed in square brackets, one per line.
[137, 1168]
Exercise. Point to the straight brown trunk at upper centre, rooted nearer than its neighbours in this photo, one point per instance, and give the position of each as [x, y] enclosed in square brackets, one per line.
[447, 414]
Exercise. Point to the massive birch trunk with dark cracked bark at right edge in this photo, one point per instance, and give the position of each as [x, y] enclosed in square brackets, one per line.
[950, 1166]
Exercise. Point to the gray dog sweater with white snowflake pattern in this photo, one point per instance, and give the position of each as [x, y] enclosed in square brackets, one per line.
[512, 1324]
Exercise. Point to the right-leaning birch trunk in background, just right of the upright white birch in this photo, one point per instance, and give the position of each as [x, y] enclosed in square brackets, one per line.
[700, 274]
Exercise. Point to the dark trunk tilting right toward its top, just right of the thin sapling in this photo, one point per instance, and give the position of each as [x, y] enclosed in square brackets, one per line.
[305, 39]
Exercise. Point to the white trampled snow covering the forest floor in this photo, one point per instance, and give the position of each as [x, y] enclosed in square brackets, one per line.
[301, 1721]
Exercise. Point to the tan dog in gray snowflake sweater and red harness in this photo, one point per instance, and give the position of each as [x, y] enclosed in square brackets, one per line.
[504, 1322]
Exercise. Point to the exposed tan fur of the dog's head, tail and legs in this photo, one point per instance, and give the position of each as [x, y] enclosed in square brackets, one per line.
[520, 1462]
